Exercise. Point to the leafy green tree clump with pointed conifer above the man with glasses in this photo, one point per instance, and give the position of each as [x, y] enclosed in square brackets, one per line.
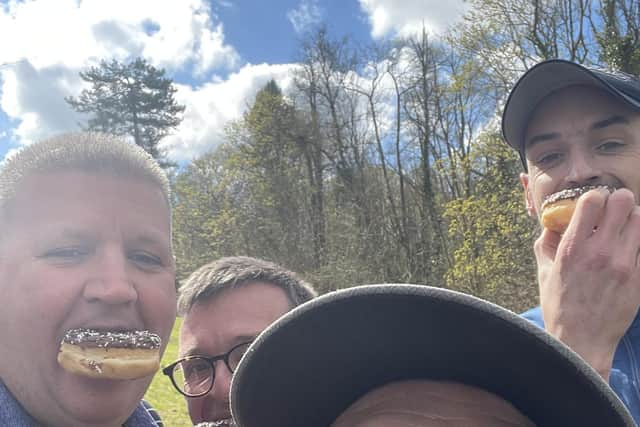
[249, 196]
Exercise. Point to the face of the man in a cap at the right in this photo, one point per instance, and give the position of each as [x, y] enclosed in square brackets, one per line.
[581, 136]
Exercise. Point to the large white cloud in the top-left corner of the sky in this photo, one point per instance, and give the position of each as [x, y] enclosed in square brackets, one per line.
[75, 33]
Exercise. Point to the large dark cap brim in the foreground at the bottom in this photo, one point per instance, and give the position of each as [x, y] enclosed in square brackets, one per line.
[315, 361]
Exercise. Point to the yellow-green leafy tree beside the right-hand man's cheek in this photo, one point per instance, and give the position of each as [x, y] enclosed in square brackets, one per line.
[491, 238]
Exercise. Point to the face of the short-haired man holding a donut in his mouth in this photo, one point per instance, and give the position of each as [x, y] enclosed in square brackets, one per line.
[81, 250]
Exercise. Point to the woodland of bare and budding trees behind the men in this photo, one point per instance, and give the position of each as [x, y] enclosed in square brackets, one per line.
[385, 163]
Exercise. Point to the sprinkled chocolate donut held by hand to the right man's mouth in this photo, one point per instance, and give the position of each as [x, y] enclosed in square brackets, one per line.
[557, 209]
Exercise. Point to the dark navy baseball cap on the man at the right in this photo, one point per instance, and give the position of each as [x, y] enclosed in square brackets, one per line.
[541, 81]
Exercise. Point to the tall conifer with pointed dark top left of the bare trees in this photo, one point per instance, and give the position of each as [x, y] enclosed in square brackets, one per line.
[270, 165]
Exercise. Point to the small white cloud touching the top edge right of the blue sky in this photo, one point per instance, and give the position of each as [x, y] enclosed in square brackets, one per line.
[407, 17]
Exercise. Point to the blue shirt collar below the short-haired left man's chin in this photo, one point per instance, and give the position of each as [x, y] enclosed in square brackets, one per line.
[12, 414]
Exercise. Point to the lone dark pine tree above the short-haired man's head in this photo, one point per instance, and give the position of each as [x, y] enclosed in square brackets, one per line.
[134, 99]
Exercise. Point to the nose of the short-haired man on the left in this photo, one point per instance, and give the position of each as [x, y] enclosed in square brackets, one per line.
[109, 279]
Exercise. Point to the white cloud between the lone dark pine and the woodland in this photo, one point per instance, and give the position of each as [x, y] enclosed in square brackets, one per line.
[212, 106]
